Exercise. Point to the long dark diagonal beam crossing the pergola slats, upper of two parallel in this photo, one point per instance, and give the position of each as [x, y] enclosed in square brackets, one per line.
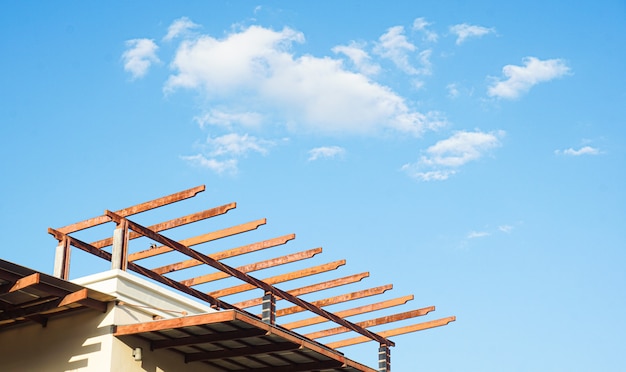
[246, 278]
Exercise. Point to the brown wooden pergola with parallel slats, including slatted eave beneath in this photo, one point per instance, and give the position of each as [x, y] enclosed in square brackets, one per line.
[117, 249]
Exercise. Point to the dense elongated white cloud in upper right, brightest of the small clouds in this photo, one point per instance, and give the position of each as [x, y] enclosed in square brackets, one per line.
[519, 79]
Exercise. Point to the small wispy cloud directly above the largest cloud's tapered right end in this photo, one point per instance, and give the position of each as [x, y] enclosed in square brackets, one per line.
[394, 45]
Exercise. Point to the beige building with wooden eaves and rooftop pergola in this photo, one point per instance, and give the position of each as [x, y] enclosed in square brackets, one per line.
[117, 320]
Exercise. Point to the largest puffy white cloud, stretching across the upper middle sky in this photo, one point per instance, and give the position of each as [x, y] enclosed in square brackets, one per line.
[308, 94]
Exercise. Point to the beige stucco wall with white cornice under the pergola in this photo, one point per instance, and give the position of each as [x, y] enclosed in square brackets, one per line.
[83, 341]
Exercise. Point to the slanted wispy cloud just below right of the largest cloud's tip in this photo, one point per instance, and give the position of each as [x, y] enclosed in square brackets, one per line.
[446, 156]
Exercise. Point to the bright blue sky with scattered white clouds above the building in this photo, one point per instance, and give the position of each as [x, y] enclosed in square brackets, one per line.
[472, 154]
